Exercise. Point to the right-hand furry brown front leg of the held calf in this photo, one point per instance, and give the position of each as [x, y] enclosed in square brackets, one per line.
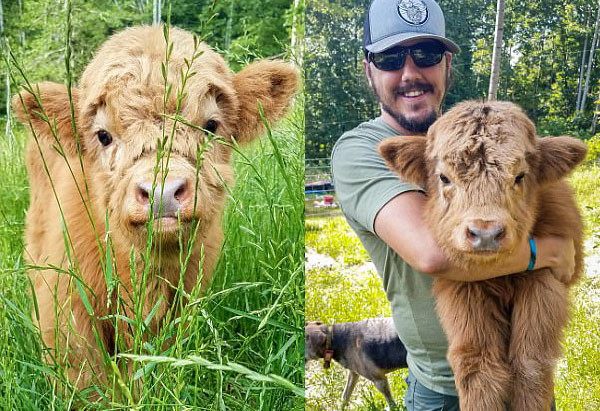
[539, 315]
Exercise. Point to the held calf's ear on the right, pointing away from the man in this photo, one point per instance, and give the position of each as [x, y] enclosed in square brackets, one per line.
[558, 156]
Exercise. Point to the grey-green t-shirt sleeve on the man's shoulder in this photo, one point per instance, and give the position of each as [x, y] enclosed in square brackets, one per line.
[362, 181]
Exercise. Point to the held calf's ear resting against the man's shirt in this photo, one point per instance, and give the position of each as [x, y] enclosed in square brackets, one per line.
[406, 156]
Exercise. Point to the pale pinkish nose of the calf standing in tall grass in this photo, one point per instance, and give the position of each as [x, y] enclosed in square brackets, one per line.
[167, 198]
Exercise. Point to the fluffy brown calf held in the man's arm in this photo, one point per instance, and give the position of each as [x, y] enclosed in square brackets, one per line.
[491, 183]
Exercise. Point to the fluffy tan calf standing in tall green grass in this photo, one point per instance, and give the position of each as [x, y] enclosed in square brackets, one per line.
[119, 108]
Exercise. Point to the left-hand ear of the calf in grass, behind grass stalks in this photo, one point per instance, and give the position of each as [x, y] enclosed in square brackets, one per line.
[46, 107]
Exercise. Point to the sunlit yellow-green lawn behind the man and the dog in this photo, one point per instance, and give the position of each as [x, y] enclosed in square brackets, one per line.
[341, 285]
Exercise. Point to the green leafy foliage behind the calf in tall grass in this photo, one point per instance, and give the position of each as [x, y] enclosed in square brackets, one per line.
[242, 30]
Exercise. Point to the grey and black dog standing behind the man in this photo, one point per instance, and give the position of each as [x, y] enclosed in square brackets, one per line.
[369, 348]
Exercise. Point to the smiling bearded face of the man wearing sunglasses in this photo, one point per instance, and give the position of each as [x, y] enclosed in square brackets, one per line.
[411, 96]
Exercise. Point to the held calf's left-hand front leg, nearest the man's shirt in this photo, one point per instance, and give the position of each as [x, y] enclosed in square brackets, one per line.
[477, 331]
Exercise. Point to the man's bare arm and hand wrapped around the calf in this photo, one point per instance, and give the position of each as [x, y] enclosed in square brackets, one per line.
[400, 223]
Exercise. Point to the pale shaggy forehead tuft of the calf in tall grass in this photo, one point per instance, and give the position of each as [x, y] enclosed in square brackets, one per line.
[130, 63]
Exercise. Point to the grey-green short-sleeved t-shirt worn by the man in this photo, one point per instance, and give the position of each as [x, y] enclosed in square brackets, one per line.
[363, 185]
